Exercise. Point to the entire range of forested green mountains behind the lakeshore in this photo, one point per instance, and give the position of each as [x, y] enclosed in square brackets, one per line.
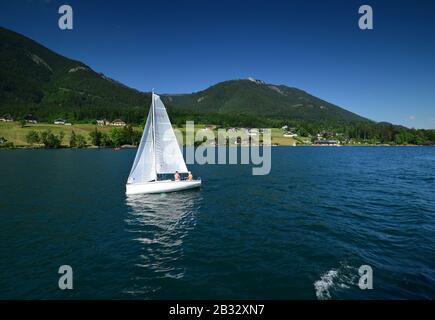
[34, 79]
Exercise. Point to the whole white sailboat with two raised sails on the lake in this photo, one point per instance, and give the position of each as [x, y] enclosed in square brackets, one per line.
[158, 154]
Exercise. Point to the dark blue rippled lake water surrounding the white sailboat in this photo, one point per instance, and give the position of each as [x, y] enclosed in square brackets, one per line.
[300, 232]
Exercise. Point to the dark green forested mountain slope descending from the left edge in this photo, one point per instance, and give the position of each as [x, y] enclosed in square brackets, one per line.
[36, 79]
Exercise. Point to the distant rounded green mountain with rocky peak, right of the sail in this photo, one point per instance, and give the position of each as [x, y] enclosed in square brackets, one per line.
[258, 98]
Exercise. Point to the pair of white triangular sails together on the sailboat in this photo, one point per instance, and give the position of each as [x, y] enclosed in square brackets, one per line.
[158, 152]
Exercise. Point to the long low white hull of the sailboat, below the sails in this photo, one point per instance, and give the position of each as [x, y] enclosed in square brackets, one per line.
[161, 186]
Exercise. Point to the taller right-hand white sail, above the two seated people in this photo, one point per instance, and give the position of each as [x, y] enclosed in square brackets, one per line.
[169, 157]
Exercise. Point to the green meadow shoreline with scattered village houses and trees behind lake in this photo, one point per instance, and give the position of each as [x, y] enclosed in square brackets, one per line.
[28, 132]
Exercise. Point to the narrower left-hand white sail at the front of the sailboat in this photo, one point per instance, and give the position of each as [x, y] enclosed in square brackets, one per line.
[143, 169]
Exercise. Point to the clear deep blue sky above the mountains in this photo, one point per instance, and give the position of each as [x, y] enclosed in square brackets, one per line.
[385, 74]
